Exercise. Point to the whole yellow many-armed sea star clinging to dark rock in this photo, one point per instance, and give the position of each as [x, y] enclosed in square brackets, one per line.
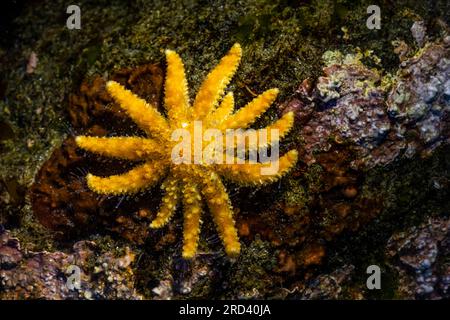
[188, 183]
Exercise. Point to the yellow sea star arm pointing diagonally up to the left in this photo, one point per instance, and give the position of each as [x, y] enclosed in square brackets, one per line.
[143, 114]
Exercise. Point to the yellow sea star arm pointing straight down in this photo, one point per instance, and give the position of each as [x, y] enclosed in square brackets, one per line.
[192, 207]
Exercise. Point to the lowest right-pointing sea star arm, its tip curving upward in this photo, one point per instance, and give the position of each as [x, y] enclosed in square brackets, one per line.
[251, 173]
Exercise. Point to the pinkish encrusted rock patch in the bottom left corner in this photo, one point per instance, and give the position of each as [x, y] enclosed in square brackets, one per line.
[47, 275]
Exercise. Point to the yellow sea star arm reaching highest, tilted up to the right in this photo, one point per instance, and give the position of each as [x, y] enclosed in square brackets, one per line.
[215, 83]
